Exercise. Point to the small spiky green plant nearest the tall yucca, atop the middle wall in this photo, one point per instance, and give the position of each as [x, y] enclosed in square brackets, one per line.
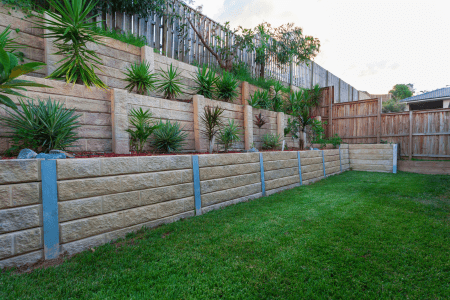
[140, 78]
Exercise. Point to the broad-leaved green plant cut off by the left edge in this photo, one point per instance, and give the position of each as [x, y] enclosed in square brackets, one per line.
[9, 71]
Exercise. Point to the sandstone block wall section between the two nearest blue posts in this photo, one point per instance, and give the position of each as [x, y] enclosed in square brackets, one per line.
[100, 200]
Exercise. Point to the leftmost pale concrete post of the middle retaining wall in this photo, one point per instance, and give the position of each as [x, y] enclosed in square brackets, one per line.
[119, 121]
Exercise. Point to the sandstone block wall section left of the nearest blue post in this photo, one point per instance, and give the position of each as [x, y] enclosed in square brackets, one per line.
[21, 234]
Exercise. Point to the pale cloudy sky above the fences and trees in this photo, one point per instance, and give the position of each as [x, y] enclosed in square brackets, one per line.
[370, 44]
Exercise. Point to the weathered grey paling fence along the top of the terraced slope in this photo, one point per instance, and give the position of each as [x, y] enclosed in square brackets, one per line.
[178, 40]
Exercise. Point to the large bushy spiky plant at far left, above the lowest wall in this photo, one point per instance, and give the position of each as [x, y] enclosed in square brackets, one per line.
[41, 126]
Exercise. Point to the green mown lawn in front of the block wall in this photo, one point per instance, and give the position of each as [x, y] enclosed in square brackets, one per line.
[353, 236]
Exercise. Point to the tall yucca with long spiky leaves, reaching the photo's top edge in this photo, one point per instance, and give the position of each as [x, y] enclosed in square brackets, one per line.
[72, 25]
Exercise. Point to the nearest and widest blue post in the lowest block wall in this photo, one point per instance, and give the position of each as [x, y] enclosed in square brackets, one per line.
[50, 209]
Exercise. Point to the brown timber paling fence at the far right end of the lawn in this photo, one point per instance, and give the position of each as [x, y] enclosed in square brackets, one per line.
[420, 134]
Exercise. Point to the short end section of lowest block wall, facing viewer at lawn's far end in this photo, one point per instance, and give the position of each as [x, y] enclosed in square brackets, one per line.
[374, 157]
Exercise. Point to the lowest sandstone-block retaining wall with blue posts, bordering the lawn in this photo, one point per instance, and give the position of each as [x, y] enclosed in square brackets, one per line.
[50, 207]
